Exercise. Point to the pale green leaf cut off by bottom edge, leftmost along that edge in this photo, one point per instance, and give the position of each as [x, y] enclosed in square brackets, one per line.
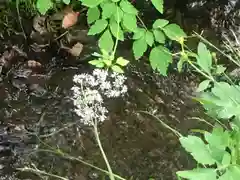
[199, 174]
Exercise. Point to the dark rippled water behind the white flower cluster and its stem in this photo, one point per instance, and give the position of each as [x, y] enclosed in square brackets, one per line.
[37, 112]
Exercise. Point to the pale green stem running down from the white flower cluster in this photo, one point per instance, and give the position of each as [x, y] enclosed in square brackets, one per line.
[103, 153]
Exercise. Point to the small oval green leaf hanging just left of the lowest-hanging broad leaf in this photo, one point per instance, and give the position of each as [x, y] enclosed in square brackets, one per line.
[139, 47]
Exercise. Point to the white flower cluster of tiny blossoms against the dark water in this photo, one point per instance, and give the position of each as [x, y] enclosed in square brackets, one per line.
[89, 91]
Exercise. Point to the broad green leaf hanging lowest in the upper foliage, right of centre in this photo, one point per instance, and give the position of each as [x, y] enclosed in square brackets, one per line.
[160, 57]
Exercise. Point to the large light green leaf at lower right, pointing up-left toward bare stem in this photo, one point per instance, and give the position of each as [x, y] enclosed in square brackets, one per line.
[198, 149]
